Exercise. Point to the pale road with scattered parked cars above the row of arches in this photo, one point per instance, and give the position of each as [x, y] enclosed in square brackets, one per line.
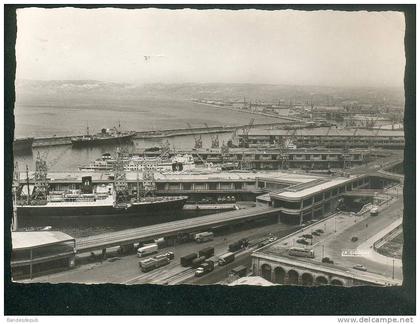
[336, 241]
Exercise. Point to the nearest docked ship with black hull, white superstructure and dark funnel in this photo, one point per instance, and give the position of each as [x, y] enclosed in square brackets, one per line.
[87, 199]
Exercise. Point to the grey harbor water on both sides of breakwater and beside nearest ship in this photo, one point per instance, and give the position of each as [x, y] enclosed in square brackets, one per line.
[61, 119]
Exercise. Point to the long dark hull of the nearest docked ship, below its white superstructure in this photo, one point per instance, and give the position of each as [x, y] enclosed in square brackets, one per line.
[138, 210]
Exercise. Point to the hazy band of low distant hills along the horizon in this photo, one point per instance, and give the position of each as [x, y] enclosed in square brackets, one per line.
[32, 91]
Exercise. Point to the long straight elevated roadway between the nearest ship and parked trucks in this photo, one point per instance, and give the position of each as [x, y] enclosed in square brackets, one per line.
[131, 236]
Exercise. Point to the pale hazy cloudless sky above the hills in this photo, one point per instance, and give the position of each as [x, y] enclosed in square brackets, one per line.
[323, 48]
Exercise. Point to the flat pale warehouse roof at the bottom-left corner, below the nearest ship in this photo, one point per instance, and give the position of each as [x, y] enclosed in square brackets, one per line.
[25, 240]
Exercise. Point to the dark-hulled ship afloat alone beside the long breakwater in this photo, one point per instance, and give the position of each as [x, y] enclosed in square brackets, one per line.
[107, 135]
